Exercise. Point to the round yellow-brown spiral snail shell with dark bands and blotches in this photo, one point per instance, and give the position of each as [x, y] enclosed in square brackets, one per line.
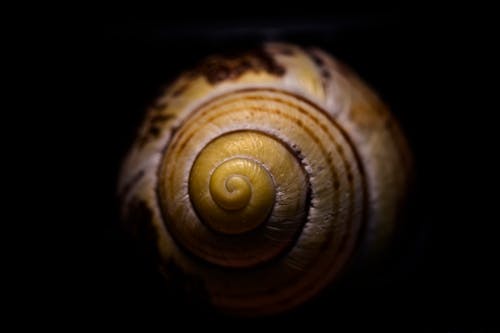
[259, 175]
